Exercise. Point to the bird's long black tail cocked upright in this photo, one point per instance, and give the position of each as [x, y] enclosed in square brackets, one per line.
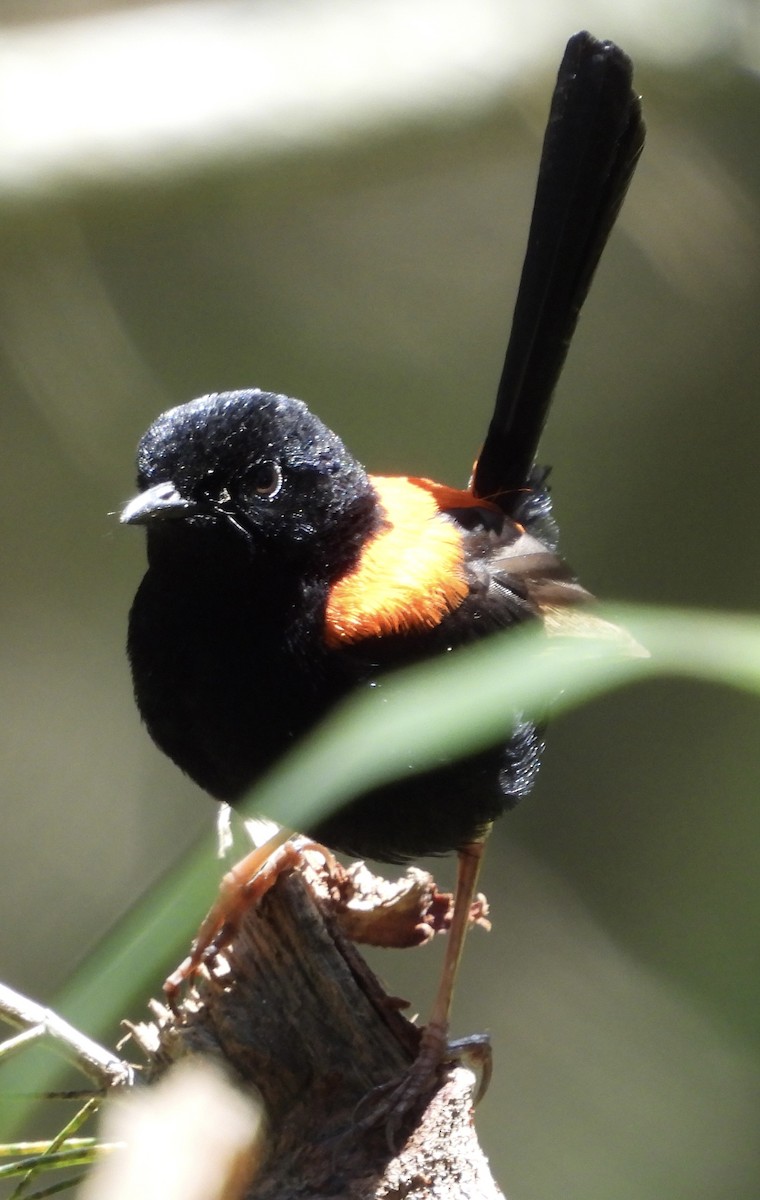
[591, 148]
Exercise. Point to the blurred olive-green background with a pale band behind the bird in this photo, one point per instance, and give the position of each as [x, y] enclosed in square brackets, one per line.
[332, 201]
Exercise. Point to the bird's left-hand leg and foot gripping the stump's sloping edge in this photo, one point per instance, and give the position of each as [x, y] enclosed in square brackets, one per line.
[242, 887]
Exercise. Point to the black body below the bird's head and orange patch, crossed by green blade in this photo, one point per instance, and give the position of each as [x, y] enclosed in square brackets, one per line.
[231, 668]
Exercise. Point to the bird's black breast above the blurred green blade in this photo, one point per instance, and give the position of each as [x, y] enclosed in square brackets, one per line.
[222, 677]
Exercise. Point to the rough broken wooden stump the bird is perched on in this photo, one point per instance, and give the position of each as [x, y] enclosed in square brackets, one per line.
[297, 1015]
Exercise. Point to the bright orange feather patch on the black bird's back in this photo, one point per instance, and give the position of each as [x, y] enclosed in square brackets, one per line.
[411, 574]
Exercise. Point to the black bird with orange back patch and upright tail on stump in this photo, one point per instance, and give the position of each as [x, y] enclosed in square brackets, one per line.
[282, 577]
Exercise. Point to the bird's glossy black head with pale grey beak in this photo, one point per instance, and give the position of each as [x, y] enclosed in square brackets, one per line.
[258, 470]
